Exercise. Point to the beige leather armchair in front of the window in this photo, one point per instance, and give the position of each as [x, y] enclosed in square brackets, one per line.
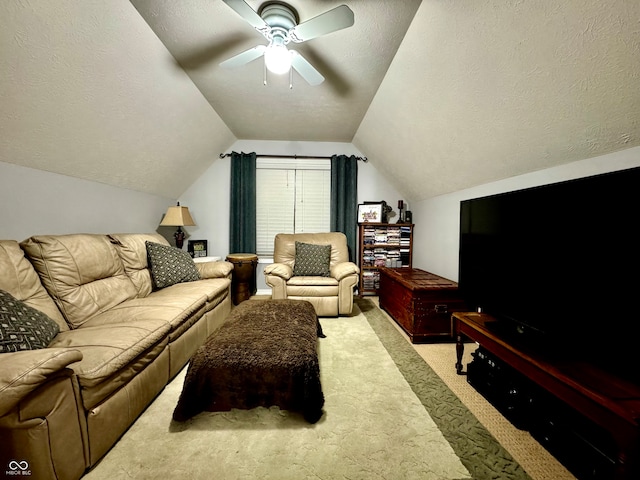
[330, 295]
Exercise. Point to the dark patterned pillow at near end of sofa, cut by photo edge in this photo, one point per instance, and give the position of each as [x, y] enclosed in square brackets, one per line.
[23, 327]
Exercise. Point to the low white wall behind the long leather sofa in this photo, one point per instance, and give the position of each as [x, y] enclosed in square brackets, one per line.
[37, 202]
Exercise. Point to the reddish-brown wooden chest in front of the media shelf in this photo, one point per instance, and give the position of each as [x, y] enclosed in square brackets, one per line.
[420, 302]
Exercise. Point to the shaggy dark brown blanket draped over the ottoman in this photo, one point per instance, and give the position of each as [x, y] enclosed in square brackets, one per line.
[266, 354]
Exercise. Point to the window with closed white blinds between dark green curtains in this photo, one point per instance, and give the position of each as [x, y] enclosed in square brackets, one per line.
[292, 196]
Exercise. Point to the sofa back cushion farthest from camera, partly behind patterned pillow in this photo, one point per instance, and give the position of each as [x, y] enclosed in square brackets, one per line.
[132, 249]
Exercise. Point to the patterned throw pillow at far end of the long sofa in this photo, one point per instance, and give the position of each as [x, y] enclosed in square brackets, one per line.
[170, 265]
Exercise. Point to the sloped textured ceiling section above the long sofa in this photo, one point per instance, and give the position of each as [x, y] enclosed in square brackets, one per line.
[87, 90]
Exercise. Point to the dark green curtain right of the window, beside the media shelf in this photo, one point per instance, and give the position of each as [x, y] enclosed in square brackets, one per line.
[344, 199]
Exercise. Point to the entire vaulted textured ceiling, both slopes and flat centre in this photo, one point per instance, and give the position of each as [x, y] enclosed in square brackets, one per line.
[439, 95]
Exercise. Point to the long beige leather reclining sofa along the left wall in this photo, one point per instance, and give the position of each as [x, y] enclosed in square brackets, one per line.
[120, 342]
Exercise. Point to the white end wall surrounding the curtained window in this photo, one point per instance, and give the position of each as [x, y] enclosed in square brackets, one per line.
[208, 197]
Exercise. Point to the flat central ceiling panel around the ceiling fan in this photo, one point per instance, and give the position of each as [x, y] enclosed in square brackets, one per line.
[202, 33]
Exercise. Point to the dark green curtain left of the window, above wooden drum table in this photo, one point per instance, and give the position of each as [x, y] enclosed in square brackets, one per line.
[242, 211]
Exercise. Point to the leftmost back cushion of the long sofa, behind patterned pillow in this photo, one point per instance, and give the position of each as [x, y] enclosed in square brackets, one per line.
[19, 278]
